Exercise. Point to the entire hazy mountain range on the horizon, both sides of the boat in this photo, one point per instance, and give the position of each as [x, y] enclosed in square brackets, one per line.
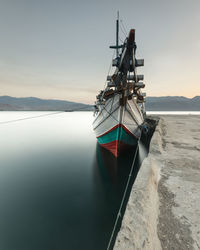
[165, 103]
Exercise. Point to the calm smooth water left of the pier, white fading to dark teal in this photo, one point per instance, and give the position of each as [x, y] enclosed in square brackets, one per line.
[58, 188]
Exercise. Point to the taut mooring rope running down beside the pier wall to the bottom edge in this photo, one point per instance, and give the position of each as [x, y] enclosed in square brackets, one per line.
[123, 198]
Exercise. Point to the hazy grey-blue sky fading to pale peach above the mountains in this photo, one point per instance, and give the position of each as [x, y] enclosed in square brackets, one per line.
[59, 49]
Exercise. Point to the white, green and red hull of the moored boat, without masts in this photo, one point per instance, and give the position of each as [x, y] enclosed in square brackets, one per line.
[118, 127]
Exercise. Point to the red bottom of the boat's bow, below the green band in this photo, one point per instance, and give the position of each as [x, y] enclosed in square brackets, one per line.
[115, 147]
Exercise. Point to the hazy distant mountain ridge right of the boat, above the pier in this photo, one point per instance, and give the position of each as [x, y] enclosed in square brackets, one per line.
[173, 103]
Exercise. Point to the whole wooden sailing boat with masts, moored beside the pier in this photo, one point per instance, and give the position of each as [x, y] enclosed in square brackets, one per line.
[119, 108]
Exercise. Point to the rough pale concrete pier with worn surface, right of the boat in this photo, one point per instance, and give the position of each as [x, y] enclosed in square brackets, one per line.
[163, 211]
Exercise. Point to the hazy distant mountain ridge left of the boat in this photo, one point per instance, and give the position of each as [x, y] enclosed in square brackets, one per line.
[8, 103]
